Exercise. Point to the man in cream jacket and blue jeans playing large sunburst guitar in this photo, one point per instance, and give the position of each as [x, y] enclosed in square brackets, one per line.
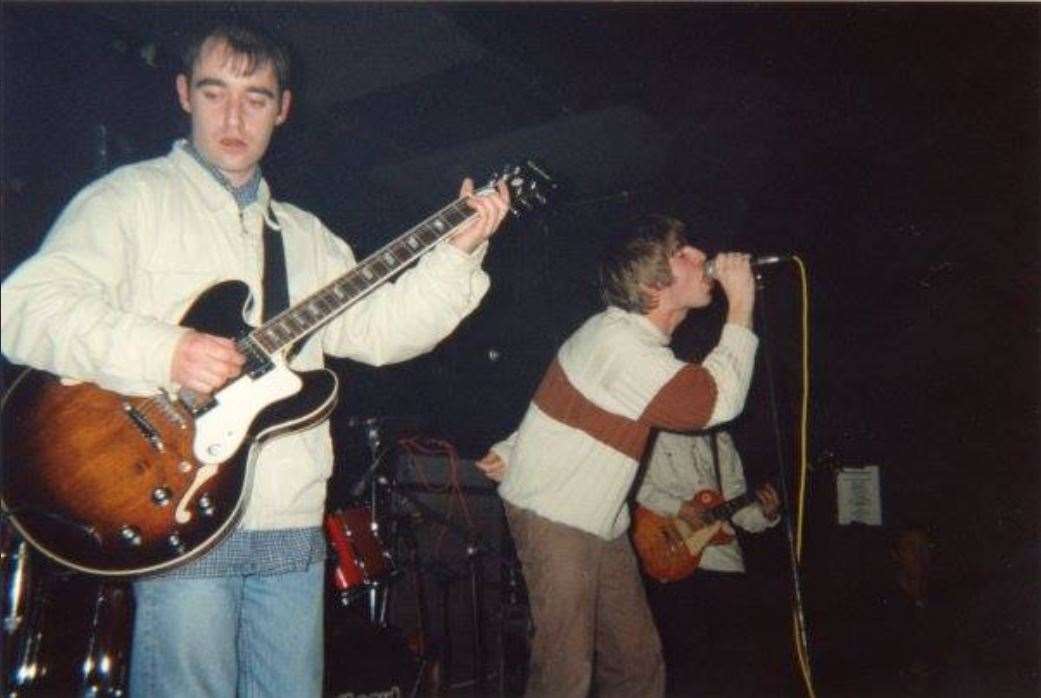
[101, 303]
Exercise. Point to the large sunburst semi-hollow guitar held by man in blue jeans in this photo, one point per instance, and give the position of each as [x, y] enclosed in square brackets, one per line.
[113, 485]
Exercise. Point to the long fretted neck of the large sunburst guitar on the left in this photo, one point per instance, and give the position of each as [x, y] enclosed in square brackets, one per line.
[322, 306]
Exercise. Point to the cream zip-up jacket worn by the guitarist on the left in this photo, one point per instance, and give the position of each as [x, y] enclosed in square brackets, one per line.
[101, 301]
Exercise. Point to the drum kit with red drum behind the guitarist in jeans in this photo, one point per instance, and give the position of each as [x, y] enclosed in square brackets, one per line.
[67, 634]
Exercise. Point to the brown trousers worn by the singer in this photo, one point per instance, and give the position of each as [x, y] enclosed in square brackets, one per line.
[590, 610]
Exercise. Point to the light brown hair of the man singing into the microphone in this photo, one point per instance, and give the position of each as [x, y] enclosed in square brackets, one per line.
[639, 258]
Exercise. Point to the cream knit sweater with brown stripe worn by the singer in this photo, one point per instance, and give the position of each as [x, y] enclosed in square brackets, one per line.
[575, 455]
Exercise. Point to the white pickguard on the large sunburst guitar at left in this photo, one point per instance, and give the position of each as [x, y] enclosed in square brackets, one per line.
[221, 431]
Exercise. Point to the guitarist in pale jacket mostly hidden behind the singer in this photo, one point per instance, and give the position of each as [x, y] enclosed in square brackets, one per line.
[703, 616]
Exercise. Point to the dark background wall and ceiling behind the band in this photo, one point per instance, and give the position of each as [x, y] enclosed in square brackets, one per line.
[895, 148]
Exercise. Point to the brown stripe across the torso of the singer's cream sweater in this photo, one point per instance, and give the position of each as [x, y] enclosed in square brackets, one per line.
[562, 401]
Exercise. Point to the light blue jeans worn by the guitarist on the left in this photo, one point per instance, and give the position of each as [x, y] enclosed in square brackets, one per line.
[247, 636]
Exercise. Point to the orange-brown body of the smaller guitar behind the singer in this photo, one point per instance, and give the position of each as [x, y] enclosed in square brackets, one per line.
[669, 548]
